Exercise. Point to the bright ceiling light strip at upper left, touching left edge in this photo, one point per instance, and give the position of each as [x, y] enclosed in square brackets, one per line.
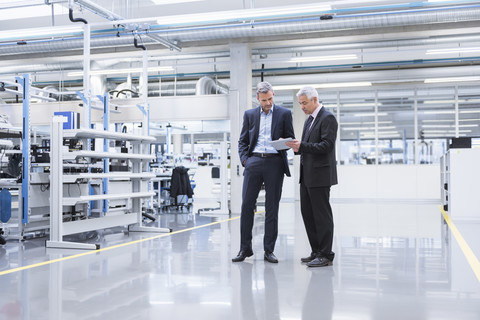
[24, 34]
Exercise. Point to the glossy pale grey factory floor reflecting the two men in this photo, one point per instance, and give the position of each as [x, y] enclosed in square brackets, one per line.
[393, 261]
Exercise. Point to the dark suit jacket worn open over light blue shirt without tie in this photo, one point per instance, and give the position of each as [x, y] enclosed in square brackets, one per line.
[282, 127]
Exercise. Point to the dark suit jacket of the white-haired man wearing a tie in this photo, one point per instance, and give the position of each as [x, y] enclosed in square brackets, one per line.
[319, 167]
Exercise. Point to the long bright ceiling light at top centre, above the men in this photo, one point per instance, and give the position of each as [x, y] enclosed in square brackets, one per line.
[243, 15]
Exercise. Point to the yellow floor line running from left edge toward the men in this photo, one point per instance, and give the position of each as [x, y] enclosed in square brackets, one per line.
[31, 266]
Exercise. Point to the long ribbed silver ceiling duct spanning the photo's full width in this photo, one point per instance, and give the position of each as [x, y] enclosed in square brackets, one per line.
[260, 29]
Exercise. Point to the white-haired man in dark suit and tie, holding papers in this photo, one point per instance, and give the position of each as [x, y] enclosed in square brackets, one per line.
[318, 172]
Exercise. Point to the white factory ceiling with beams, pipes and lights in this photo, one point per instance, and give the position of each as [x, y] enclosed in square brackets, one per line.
[394, 58]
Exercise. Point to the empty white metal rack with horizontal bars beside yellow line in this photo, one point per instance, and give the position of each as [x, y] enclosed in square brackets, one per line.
[138, 175]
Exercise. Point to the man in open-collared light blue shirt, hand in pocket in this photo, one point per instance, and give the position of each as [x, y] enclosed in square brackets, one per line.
[263, 165]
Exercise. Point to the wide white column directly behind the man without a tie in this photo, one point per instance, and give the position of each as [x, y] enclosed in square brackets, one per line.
[240, 99]
